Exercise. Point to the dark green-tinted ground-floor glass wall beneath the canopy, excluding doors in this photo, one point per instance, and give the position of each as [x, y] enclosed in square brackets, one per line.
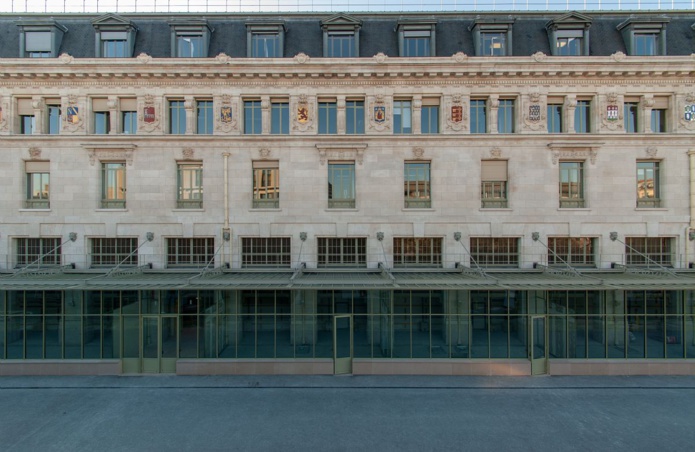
[409, 324]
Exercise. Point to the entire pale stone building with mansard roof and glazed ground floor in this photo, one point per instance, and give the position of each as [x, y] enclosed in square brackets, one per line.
[444, 193]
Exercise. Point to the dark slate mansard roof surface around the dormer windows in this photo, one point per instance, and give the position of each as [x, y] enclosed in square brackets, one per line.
[377, 34]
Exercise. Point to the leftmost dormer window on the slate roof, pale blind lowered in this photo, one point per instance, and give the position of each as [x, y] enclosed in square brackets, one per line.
[40, 38]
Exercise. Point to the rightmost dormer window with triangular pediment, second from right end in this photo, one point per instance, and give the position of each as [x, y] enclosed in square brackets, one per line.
[569, 35]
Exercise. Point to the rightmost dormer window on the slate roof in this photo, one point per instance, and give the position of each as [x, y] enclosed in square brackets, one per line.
[644, 37]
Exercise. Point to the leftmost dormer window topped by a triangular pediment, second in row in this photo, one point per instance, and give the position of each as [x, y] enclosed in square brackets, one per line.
[114, 37]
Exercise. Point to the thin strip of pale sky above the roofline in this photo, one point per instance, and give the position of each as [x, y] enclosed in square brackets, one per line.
[173, 6]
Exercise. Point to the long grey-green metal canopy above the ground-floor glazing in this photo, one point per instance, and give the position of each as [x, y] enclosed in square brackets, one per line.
[350, 279]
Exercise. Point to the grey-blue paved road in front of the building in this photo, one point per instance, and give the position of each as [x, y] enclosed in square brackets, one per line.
[347, 413]
